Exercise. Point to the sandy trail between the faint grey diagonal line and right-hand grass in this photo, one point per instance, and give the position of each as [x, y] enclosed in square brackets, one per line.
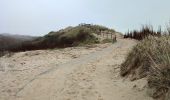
[91, 77]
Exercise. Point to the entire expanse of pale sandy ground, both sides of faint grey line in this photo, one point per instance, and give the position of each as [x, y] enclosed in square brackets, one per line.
[70, 74]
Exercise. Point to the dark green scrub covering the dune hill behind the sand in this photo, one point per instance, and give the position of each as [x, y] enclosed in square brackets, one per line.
[80, 35]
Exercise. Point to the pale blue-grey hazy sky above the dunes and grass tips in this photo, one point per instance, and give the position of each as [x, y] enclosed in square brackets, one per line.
[39, 17]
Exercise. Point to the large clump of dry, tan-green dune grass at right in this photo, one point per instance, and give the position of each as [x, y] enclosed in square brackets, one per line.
[150, 58]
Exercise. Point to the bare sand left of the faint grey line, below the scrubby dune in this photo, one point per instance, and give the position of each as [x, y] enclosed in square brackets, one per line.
[17, 70]
